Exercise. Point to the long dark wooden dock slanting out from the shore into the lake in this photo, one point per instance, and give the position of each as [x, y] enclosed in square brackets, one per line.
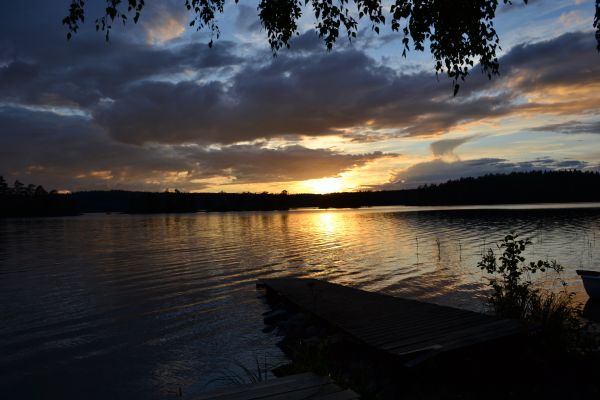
[394, 325]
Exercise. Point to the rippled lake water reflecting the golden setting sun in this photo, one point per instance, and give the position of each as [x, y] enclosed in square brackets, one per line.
[118, 306]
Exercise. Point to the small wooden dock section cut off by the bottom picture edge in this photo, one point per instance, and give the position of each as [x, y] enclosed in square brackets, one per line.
[294, 387]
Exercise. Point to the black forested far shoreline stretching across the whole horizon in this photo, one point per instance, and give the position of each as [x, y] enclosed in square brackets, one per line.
[565, 186]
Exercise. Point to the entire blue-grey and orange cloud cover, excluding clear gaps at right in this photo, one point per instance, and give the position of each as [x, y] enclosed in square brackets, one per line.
[140, 115]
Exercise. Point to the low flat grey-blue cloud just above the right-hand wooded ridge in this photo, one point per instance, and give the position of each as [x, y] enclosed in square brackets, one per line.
[438, 170]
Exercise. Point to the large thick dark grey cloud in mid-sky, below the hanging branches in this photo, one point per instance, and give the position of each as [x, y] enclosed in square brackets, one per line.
[286, 97]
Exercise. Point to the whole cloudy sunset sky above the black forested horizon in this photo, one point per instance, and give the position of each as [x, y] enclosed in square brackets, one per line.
[155, 108]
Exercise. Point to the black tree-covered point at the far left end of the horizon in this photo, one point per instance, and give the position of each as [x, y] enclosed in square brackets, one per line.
[23, 200]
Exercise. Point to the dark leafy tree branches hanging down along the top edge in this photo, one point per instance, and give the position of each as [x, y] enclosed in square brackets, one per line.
[460, 33]
